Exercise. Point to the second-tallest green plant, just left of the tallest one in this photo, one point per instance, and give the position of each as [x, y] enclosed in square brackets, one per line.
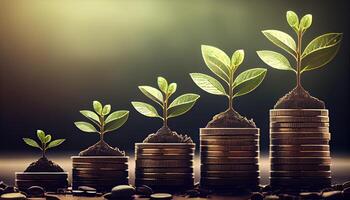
[221, 65]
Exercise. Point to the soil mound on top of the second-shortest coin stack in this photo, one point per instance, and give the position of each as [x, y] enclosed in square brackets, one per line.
[101, 148]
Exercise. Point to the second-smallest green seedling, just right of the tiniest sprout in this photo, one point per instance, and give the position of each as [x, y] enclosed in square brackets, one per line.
[104, 121]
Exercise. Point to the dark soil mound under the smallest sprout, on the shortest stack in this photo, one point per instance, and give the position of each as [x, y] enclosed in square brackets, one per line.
[43, 165]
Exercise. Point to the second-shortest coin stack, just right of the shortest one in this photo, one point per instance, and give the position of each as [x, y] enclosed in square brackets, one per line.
[100, 172]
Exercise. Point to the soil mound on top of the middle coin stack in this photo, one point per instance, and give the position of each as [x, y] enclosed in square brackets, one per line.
[165, 135]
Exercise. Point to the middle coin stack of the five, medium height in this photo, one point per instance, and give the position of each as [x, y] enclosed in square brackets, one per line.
[164, 166]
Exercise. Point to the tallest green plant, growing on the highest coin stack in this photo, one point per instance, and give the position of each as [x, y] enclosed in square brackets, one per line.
[316, 54]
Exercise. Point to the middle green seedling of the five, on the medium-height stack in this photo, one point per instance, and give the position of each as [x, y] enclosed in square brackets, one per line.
[177, 107]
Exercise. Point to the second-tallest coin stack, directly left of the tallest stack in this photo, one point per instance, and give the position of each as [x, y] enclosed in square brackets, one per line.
[229, 158]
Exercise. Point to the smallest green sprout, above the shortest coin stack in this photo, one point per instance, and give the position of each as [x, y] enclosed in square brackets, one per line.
[45, 142]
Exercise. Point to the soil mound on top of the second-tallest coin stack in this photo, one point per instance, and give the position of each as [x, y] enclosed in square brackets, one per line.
[230, 119]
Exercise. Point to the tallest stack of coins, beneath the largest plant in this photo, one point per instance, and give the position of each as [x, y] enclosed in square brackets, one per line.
[299, 148]
